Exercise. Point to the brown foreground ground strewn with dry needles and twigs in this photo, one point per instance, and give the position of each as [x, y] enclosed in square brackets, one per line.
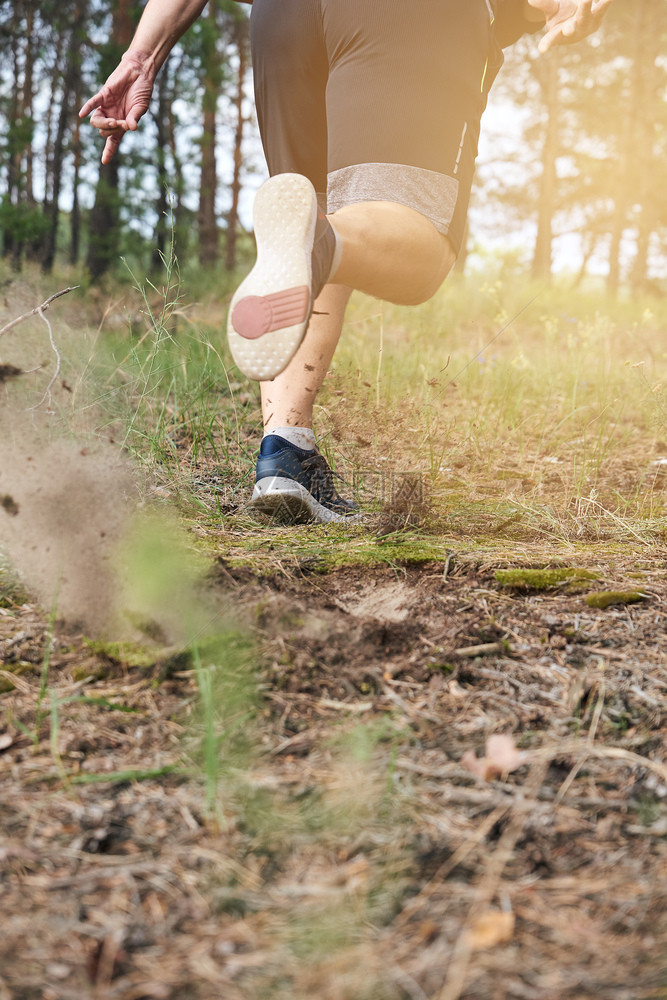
[360, 858]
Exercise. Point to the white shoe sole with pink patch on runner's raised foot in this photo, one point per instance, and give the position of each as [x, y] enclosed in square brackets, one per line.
[269, 311]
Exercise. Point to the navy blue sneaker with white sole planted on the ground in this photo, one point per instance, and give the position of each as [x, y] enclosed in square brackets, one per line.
[295, 486]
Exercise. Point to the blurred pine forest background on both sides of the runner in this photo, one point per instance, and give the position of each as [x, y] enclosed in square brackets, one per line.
[567, 179]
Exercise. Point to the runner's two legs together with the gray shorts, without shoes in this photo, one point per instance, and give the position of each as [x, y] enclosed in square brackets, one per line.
[398, 152]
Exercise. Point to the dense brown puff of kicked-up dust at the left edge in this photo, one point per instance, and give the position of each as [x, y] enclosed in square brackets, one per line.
[63, 510]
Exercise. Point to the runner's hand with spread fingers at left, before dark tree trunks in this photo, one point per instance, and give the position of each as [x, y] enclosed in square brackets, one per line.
[122, 101]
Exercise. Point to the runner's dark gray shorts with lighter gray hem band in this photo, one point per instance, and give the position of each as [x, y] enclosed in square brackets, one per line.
[376, 100]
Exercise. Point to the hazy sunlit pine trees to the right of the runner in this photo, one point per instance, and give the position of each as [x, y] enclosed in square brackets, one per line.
[614, 214]
